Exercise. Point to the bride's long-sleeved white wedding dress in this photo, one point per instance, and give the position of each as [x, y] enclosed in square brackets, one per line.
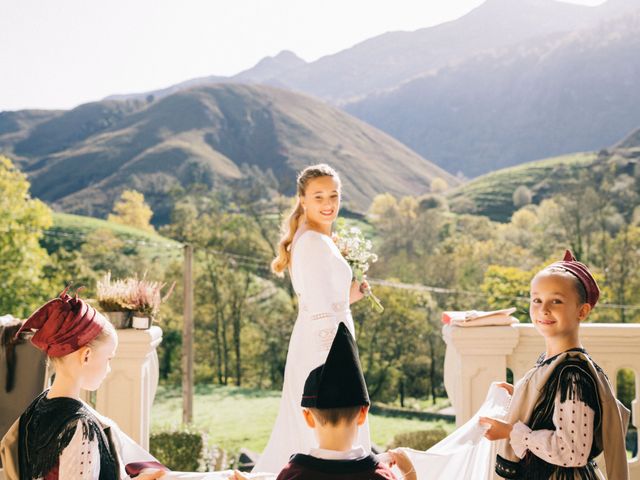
[322, 279]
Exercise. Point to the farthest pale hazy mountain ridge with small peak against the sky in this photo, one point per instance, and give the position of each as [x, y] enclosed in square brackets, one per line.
[393, 58]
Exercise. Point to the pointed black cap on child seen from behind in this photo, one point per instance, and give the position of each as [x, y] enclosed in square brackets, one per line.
[339, 382]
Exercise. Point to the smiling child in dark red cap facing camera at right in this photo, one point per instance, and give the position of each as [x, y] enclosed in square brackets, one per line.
[563, 412]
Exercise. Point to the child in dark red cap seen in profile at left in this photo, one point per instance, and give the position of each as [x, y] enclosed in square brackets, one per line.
[59, 436]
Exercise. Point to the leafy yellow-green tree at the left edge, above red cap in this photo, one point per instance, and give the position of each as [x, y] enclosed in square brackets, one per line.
[22, 259]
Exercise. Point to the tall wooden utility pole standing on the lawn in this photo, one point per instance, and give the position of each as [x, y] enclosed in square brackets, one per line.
[187, 338]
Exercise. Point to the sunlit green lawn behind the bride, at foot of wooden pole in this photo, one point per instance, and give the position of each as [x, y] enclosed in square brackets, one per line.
[235, 417]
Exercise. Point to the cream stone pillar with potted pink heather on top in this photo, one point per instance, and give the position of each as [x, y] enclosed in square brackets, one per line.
[127, 393]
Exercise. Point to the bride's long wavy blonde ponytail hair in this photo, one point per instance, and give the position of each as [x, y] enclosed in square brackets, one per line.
[292, 221]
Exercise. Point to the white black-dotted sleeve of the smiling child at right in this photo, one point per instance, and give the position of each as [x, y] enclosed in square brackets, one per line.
[568, 445]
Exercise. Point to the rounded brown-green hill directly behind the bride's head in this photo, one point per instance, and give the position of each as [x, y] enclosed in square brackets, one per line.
[80, 160]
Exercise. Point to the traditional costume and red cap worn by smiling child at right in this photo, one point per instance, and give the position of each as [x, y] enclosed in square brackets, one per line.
[564, 414]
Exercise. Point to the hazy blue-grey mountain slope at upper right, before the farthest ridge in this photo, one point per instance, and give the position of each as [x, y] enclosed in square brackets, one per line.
[569, 92]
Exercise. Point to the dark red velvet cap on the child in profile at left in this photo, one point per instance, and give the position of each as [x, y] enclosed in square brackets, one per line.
[64, 325]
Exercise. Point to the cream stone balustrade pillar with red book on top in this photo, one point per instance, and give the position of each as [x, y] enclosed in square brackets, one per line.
[475, 357]
